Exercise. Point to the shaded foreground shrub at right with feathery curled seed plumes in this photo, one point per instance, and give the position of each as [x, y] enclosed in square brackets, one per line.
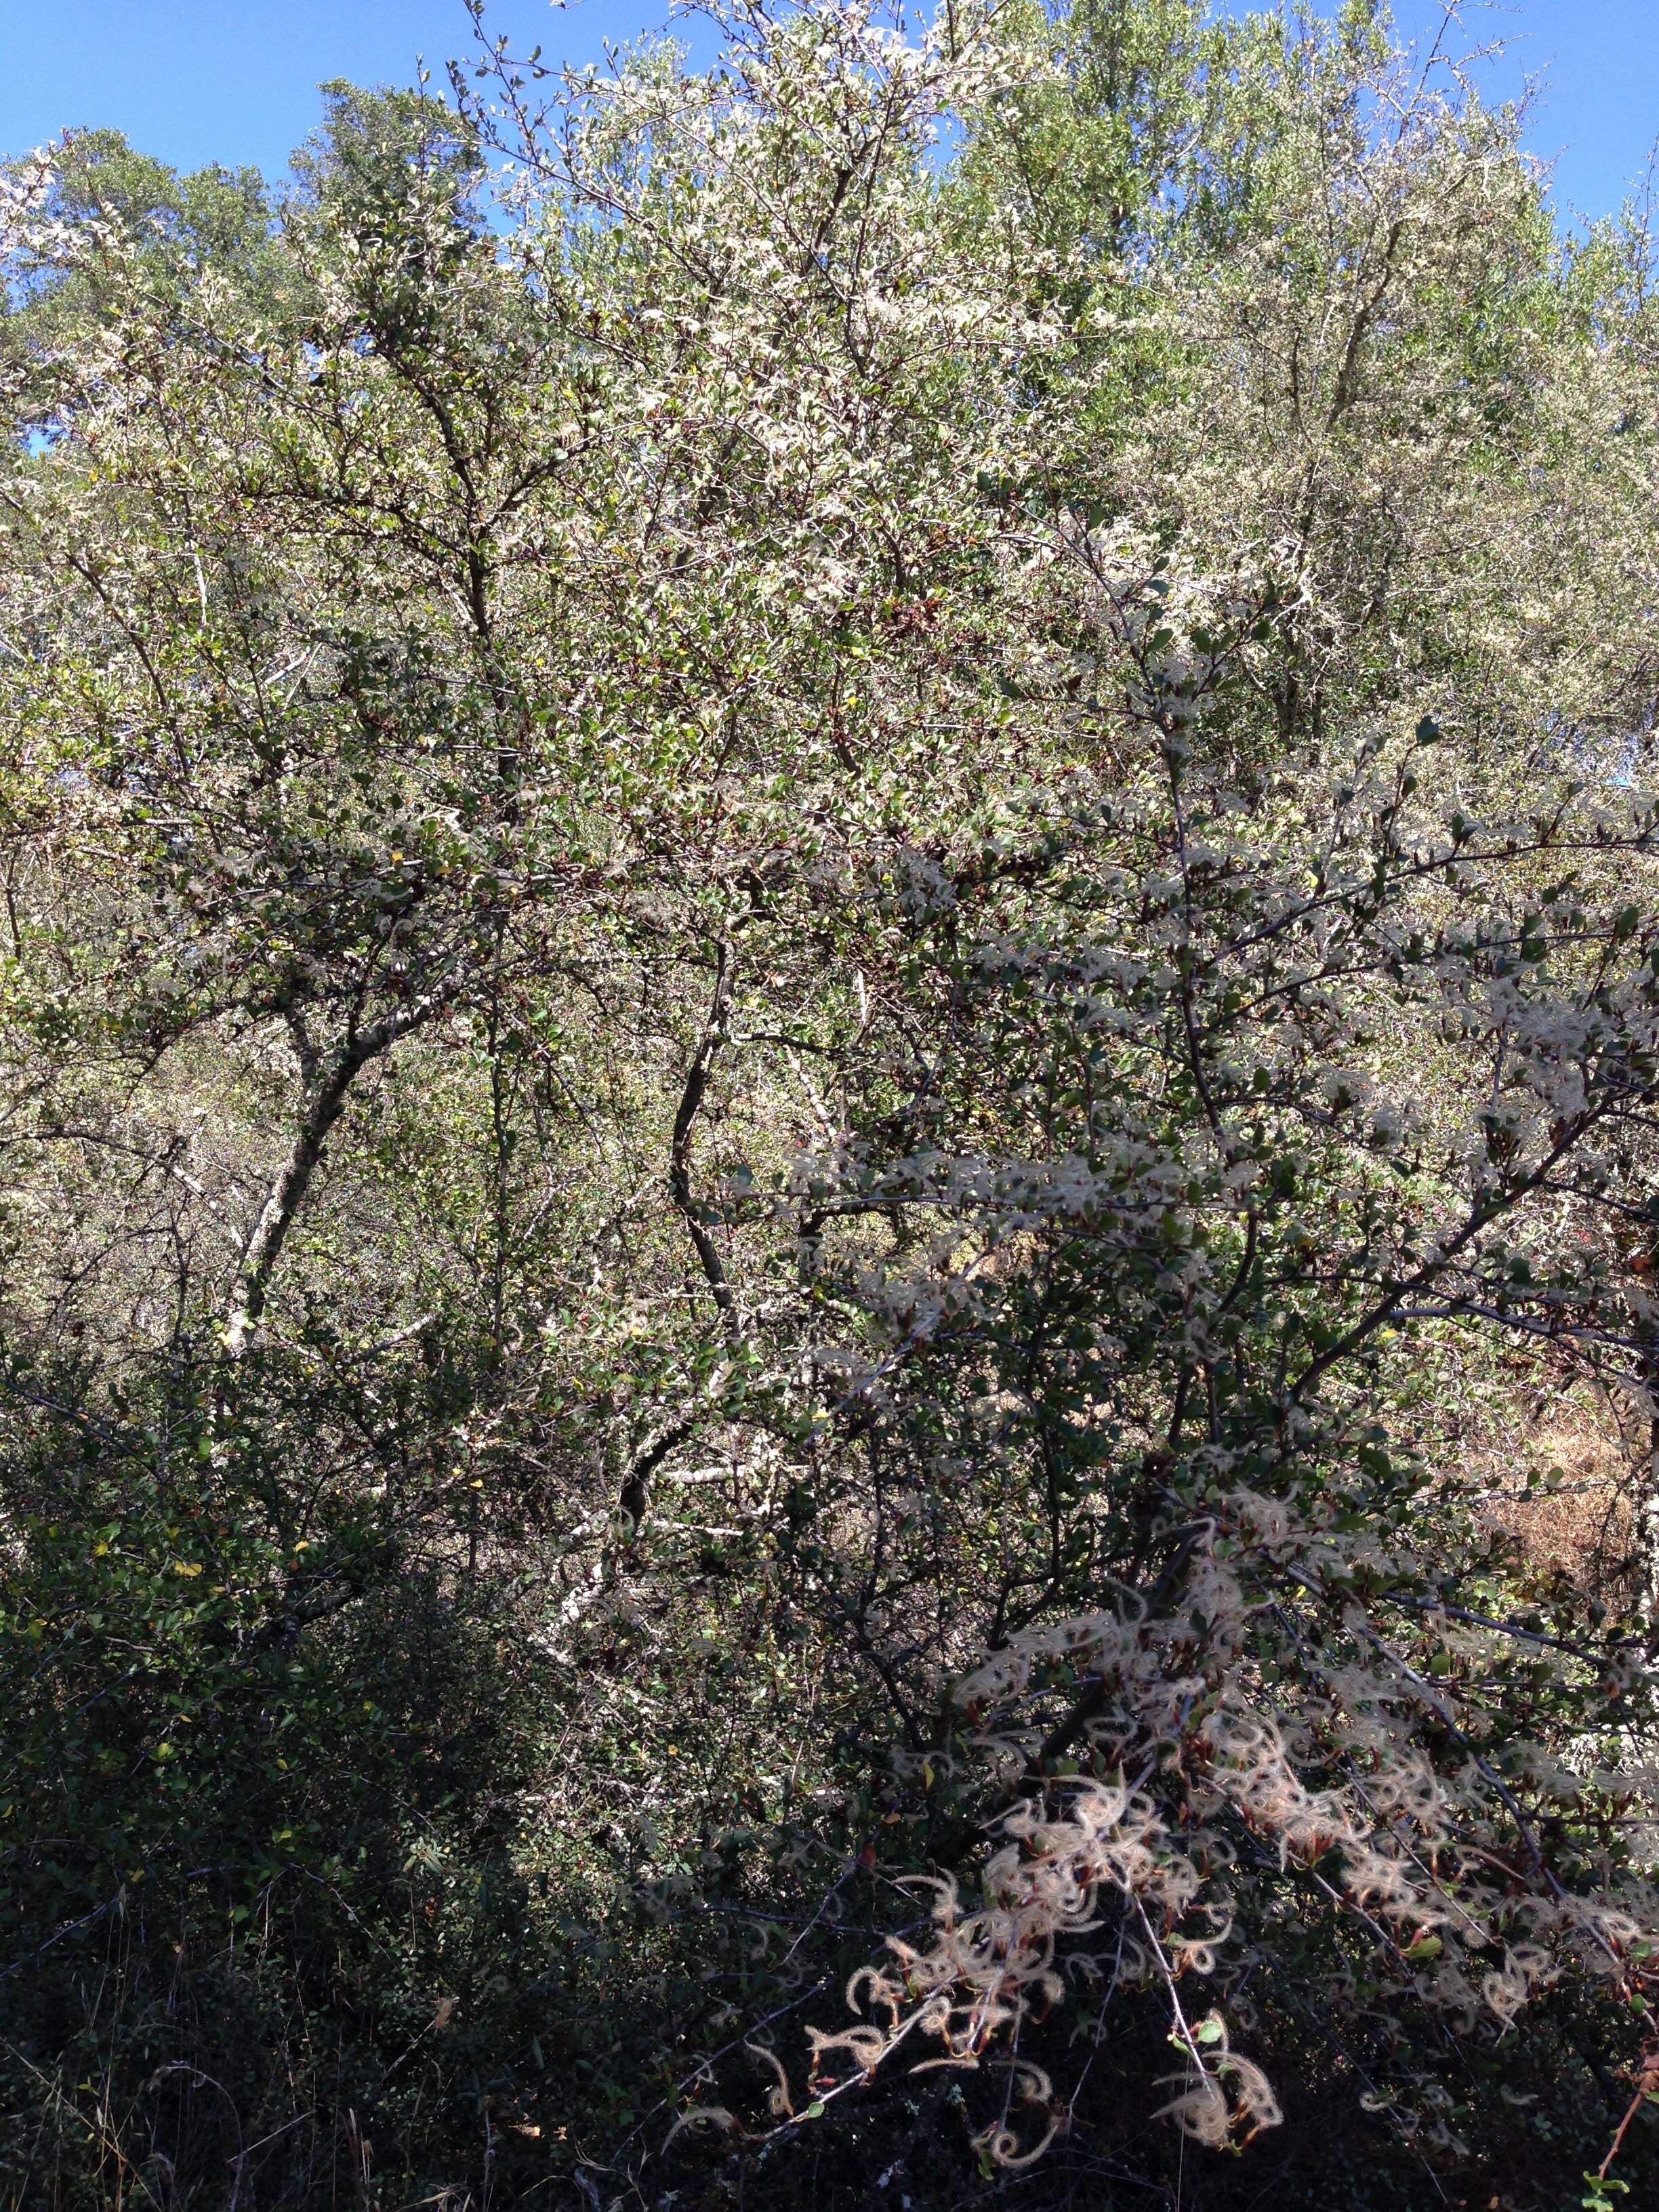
[1242, 1123]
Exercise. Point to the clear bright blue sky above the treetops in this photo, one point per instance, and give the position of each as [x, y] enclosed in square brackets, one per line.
[236, 81]
